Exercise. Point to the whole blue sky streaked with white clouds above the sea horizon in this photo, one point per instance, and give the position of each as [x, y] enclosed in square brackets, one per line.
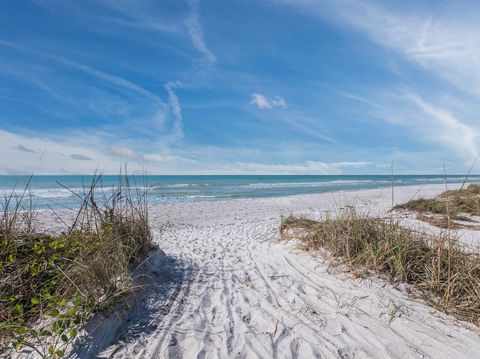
[239, 86]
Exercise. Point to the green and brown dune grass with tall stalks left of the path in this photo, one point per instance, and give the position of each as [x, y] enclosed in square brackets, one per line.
[50, 284]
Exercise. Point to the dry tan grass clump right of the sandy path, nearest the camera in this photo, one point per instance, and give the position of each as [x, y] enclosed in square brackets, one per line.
[436, 267]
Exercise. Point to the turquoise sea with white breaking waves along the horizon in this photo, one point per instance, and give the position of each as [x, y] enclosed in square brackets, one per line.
[49, 191]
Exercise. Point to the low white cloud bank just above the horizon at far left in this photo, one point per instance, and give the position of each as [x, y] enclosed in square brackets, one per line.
[83, 148]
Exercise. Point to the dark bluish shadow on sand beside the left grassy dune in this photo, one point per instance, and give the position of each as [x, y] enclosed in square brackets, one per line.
[166, 282]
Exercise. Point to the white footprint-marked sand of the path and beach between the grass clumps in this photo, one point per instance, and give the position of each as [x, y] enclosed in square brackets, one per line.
[228, 288]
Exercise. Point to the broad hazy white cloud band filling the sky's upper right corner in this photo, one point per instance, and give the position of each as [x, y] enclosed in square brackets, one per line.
[440, 41]
